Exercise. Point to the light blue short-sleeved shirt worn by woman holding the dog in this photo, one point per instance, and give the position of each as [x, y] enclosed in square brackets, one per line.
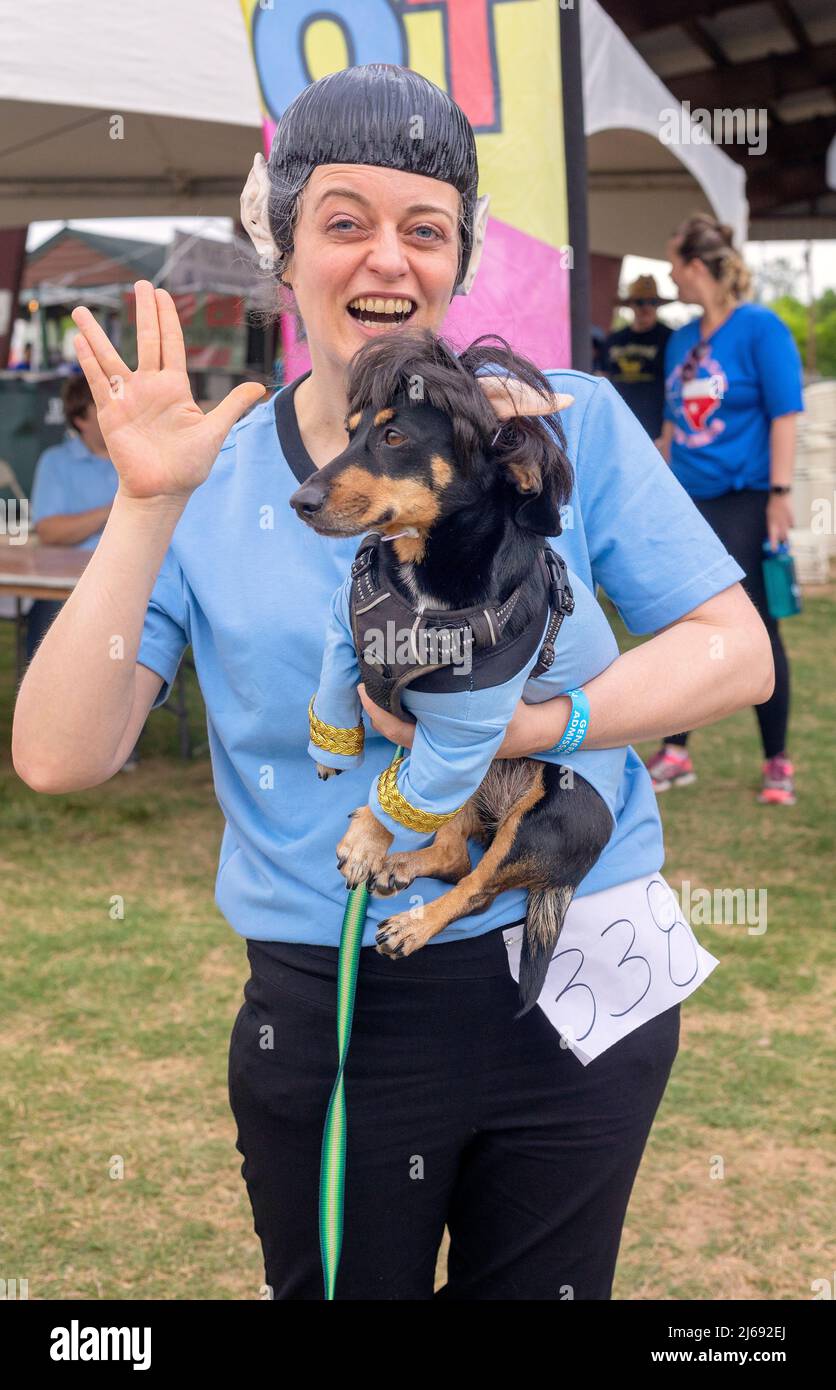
[251, 587]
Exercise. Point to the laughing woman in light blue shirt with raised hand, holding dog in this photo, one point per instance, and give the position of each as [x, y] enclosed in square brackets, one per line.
[458, 1115]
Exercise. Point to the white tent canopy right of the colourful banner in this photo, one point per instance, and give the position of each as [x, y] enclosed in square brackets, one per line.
[639, 187]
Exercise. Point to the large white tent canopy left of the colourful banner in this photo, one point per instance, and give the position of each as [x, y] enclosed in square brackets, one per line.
[179, 74]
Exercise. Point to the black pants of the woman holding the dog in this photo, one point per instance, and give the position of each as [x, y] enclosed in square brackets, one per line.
[457, 1114]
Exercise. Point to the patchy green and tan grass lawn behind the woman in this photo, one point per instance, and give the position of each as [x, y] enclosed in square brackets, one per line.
[120, 1175]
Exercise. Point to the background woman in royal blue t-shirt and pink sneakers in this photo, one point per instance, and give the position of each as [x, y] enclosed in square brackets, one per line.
[734, 390]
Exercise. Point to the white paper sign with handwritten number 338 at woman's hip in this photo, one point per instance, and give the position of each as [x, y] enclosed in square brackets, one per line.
[625, 956]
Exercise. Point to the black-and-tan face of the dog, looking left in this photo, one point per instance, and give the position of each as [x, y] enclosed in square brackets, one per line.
[397, 472]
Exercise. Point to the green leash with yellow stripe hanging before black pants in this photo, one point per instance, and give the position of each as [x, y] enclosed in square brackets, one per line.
[333, 1157]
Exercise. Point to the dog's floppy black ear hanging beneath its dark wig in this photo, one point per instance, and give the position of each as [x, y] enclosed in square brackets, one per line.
[538, 471]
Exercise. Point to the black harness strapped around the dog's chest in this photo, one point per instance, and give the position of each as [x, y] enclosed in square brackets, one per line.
[476, 632]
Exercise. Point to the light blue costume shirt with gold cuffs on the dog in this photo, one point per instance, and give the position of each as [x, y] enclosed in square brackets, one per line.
[460, 733]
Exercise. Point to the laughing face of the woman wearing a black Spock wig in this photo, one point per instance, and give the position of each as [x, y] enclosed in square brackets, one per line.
[373, 248]
